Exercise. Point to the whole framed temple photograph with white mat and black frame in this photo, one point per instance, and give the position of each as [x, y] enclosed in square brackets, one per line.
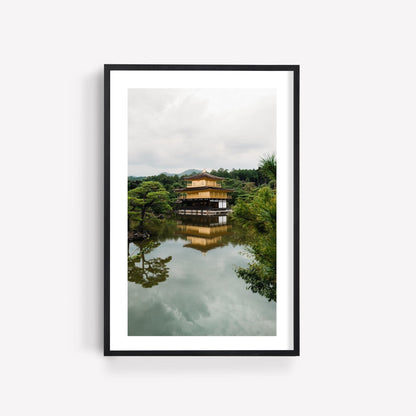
[201, 218]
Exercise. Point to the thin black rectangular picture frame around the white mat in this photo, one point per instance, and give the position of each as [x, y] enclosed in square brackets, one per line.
[108, 68]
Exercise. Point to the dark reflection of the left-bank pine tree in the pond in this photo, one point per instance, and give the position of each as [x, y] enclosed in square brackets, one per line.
[147, 273]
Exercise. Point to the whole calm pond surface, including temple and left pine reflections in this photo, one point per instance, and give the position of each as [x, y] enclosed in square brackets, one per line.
[183, 282]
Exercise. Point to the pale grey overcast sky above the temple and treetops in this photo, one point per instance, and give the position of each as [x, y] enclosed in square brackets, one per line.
[171, 130]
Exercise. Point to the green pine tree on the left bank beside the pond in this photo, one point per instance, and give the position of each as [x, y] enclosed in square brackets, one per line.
[148, 196]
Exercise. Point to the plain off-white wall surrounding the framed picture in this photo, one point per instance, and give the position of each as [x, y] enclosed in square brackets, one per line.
[358, 206]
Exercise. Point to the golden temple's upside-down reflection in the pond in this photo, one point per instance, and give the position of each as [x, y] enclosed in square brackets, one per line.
[204, 233]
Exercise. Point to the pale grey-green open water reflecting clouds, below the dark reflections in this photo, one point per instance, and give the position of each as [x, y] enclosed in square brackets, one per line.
[208, 300]
